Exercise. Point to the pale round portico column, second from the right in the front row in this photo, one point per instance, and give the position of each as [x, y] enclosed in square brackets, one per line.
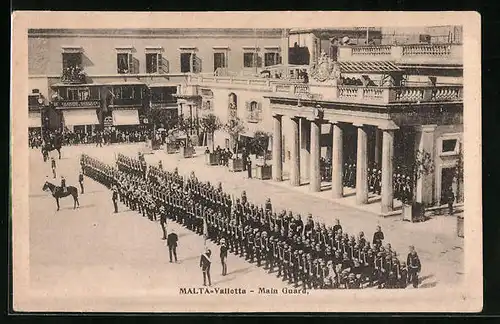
[362, 167]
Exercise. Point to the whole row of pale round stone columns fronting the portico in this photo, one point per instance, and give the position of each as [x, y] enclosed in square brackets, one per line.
[306, 135]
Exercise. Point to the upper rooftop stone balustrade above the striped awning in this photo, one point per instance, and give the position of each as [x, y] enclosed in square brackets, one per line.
[424, 54]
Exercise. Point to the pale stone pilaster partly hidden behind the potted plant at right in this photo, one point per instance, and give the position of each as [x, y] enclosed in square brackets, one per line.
[425, 143]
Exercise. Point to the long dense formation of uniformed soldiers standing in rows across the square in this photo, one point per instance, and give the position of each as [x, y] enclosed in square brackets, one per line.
[306, 254]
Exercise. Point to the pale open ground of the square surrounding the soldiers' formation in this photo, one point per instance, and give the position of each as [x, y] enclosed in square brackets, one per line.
[92, 250]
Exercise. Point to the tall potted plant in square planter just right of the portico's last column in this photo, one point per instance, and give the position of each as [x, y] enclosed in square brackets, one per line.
[423, 165]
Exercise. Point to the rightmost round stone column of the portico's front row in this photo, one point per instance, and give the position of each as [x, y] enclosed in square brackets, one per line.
[387, 157]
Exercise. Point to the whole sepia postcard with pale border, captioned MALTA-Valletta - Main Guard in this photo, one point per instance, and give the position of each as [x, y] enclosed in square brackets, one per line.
[246, 162]
